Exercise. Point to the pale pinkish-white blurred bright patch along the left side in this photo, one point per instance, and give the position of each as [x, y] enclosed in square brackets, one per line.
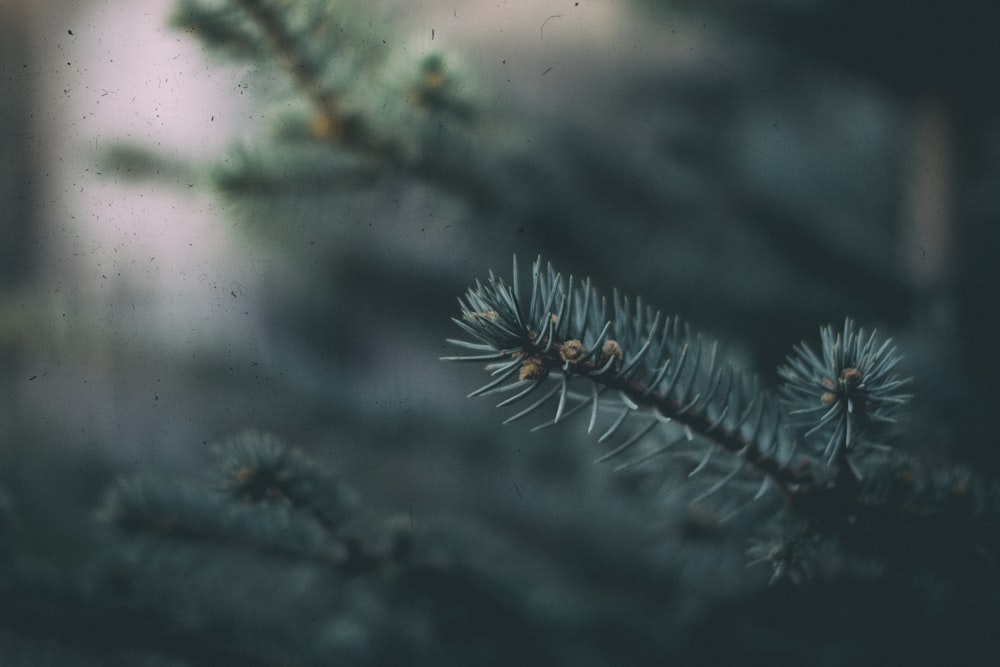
[128, 279]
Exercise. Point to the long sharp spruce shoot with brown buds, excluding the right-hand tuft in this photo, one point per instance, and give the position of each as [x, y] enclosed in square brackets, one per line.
[651, 365]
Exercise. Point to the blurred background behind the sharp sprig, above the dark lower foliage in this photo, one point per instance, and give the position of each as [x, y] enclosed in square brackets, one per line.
[208, 224]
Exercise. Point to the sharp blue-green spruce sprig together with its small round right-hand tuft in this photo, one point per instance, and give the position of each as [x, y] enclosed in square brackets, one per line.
[639, 363]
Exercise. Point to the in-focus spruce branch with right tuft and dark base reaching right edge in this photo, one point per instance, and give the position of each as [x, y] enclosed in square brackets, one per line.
[848, 484]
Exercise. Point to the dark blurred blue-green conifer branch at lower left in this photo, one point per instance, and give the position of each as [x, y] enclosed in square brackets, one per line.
[268, 497]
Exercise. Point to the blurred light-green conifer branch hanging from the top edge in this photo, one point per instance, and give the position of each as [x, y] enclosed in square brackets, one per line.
[376, 109]
